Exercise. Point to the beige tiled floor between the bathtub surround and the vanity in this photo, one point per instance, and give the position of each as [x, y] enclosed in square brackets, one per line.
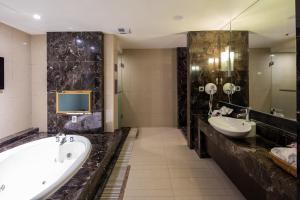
[164, 168]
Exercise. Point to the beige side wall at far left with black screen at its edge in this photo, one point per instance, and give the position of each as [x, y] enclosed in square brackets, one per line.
[15, 99]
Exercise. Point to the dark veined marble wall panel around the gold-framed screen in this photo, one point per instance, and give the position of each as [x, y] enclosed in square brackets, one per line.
[75, 62]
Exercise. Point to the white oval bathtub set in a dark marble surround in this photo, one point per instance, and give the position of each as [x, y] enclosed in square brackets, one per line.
[31, 171]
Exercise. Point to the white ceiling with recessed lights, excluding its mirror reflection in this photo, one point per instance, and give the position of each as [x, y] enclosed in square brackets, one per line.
[152, 22]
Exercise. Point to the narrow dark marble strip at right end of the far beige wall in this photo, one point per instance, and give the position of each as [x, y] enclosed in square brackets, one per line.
[182, 86]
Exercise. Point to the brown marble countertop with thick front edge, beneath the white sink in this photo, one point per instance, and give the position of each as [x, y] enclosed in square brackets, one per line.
[253, 156]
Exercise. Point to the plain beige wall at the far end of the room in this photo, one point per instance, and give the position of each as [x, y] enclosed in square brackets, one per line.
[149, 88]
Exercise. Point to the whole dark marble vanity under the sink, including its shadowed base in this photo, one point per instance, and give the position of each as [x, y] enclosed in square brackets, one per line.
[246, 163]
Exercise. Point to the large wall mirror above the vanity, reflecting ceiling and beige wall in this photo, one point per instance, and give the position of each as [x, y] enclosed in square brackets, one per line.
[272, 56]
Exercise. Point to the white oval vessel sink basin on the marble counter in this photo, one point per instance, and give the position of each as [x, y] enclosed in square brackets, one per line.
[231, 127]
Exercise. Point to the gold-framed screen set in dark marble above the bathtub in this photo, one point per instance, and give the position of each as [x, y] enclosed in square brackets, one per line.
[73, 102]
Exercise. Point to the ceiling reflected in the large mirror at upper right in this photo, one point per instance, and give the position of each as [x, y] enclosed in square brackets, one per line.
[270, 22]
